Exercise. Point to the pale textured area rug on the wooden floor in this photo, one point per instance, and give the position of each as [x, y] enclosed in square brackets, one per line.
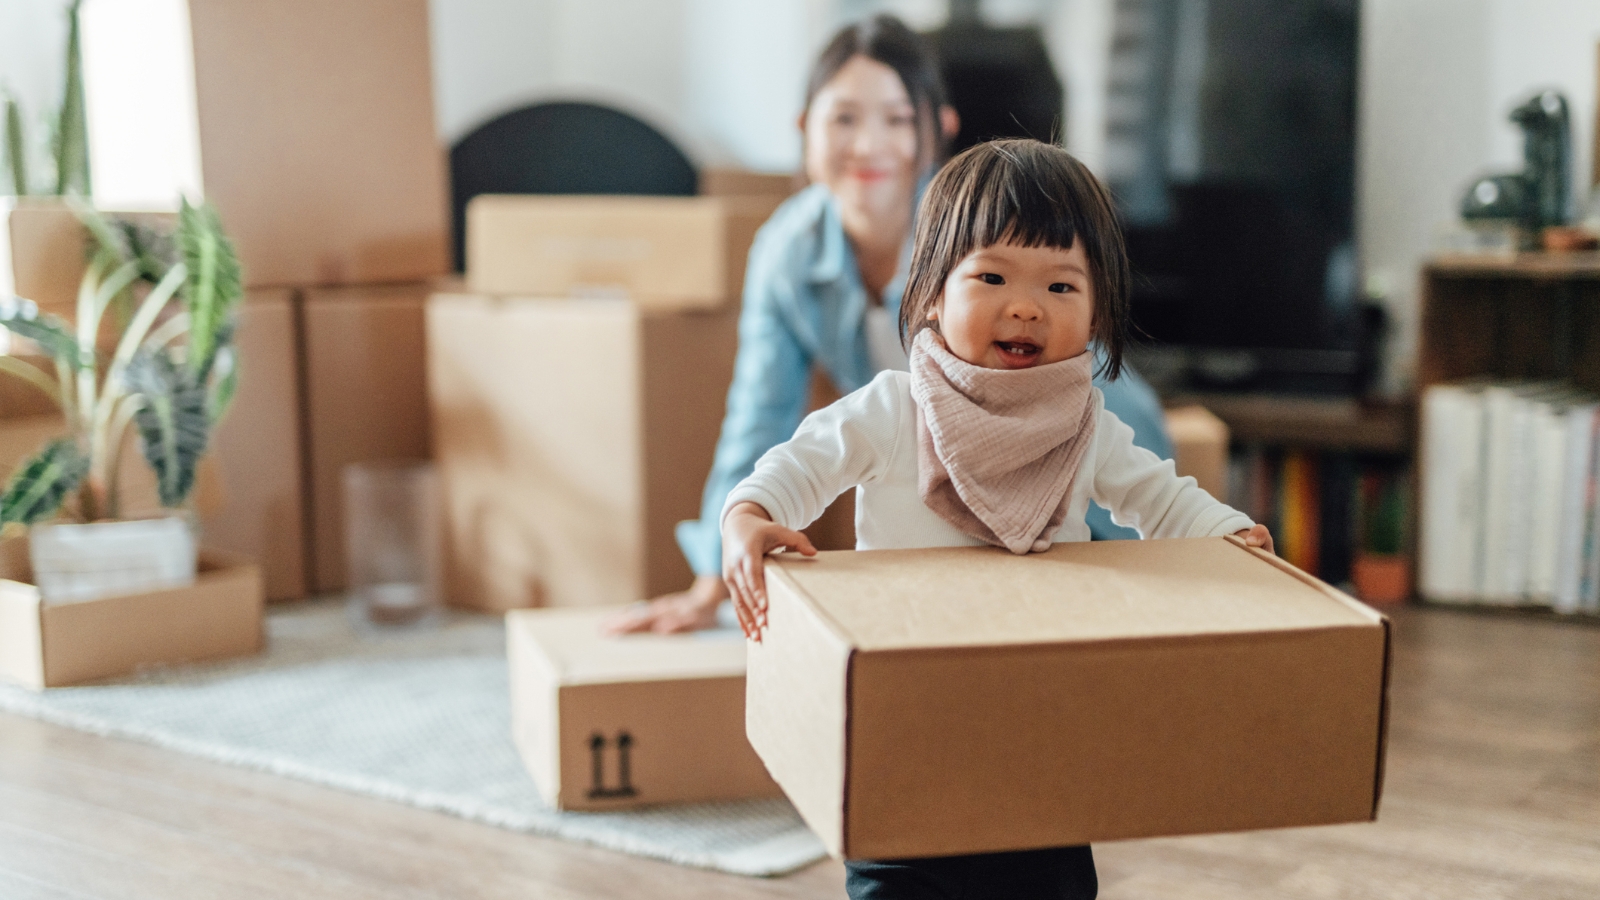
[420, 718]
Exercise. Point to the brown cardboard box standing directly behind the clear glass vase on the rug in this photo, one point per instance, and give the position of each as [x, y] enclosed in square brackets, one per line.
[366, 401]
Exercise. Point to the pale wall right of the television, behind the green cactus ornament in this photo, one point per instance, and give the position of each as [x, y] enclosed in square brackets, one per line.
[1438, 81]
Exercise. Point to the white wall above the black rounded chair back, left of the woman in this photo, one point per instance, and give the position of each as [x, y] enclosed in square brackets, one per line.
[724, 79]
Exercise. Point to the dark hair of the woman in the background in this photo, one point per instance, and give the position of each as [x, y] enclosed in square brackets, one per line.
[889, 41]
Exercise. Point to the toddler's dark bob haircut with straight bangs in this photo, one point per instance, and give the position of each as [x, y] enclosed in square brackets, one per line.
[1028, 195]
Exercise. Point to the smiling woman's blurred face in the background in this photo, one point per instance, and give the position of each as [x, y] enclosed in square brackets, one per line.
[862, 139]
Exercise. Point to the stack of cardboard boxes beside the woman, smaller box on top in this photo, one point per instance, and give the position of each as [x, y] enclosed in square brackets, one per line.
[578, 392]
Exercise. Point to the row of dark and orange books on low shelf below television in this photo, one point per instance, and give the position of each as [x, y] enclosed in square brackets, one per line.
[1326, 510]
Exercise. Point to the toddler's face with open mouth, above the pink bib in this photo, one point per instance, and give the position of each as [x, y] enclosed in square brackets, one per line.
[1007, 307]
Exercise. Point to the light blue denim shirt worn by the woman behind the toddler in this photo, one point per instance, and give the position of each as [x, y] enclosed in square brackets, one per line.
[804, 307]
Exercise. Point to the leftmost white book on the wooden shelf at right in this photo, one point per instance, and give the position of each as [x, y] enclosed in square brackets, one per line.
[1450, 544]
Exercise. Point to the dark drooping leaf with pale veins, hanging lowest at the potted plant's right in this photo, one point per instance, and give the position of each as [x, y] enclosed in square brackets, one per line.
[172, 419]
